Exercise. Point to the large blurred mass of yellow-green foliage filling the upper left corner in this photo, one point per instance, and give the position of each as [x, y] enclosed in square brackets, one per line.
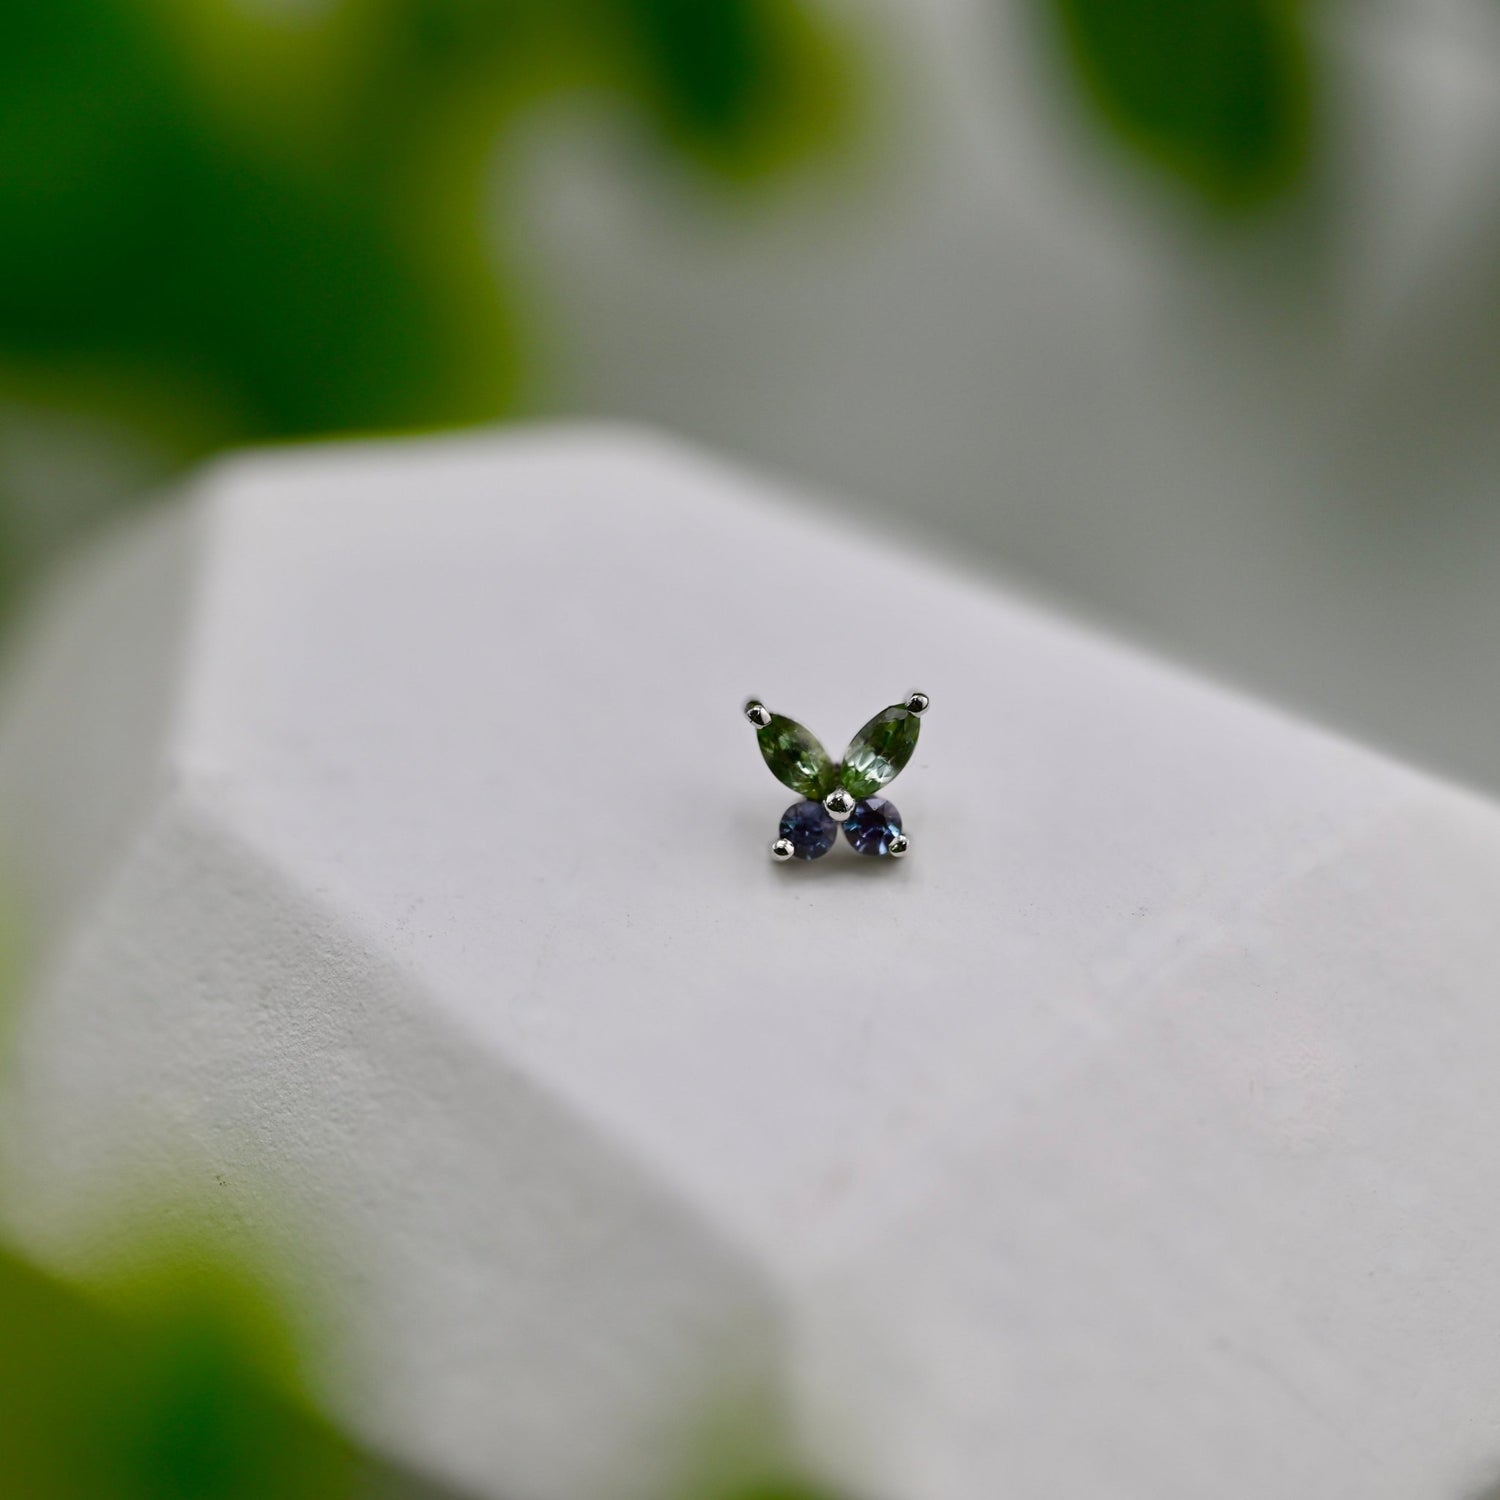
[224, 223]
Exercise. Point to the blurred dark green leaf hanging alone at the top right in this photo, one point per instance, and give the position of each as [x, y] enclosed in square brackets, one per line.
[1213, 92]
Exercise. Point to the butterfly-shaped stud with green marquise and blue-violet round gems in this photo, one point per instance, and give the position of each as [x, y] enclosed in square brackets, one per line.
[842, 794]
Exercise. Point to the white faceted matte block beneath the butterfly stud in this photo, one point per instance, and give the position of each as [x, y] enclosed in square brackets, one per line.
[401, 865]
